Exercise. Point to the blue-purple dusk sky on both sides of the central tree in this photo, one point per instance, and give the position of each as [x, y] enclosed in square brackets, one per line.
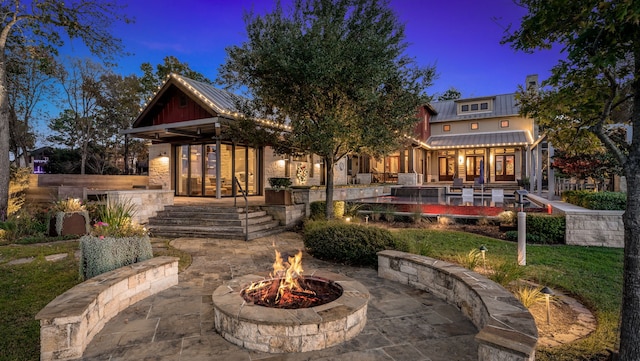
[460, 37]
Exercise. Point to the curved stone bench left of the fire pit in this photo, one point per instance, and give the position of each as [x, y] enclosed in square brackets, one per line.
[71, 320]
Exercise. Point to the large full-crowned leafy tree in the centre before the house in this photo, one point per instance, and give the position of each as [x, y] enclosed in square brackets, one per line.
[335, 72]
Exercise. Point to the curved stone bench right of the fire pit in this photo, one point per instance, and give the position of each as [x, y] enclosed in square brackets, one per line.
[507, 329]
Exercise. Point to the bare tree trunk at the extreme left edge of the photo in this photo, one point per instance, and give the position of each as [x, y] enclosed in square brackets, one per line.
[4, 142]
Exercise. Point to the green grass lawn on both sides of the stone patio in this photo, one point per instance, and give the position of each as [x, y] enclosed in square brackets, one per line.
[592, 275]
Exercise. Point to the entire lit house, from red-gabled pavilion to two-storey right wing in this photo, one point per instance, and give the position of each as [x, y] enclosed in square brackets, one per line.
[188, 151]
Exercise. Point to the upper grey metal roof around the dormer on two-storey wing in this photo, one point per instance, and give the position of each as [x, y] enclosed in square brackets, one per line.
[503, 105]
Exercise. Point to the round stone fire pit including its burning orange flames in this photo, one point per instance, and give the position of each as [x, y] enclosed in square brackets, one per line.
[320, 310]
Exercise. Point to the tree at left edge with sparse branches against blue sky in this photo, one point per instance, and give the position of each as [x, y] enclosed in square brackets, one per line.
[43, 23]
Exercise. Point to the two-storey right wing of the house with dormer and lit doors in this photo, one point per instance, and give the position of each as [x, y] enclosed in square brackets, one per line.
[483, 139]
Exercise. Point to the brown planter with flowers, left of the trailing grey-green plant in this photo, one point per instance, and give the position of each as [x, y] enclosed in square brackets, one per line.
[70, 217]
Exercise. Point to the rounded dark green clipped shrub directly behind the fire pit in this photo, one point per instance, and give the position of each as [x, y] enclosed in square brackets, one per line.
[346, 243]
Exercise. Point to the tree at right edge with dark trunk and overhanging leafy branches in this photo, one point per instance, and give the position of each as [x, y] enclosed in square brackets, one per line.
[597, 85]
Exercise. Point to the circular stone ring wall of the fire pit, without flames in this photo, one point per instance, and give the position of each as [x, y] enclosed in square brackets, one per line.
[290, 330]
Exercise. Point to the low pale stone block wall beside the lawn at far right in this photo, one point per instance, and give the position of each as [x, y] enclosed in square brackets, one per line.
[594, 228]
